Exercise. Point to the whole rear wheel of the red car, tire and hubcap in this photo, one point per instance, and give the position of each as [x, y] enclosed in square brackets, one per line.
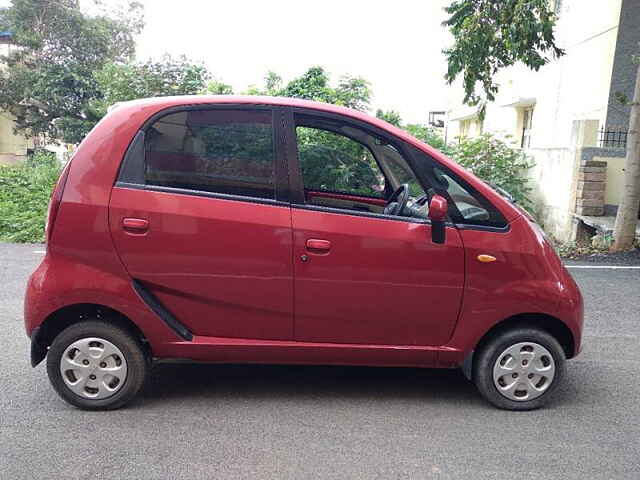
[95, 365]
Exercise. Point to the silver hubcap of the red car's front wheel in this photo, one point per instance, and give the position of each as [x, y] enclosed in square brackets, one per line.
[524, 371]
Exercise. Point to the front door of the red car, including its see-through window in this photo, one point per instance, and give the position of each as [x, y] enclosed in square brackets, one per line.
[362, 276]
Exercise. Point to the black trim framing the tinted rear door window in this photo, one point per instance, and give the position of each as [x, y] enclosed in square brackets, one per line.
[131, 171]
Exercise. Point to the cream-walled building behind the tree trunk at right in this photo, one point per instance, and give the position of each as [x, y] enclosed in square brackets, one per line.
[568, 115]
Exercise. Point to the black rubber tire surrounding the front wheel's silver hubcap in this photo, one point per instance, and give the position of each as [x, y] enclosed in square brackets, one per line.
[486, 357]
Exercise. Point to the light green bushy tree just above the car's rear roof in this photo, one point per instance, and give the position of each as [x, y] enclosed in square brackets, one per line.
[167, 76]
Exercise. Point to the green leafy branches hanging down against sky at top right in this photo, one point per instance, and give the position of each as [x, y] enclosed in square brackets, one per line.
[491, 35]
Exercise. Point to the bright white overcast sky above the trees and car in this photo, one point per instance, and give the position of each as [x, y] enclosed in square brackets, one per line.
[396, 45]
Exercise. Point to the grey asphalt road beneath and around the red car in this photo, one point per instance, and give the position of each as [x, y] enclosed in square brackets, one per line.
[203, 422]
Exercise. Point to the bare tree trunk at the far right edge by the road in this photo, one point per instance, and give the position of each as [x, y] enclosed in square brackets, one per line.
[627, 217]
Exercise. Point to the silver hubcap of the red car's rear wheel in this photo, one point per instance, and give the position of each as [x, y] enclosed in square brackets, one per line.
[93, 368]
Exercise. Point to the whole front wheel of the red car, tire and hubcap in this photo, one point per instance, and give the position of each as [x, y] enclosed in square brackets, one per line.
[538, 363]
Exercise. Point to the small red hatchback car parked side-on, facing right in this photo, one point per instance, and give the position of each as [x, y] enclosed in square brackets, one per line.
[272, 230]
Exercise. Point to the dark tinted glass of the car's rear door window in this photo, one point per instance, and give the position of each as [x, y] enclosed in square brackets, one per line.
[221, 151]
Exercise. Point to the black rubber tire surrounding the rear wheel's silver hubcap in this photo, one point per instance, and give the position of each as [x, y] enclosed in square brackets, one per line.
[136, 362]
